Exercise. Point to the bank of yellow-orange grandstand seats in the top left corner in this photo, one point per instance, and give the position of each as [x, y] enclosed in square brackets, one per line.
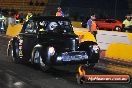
[24, 6]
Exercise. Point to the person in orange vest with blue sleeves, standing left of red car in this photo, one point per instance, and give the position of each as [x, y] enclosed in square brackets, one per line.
[92, 25]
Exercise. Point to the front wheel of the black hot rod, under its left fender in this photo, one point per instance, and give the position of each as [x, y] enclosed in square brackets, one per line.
[39, 59]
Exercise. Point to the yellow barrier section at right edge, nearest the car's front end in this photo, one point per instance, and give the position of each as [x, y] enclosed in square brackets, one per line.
[119, 51]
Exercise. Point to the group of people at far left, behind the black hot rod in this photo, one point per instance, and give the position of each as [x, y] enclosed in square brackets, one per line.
[13, 18]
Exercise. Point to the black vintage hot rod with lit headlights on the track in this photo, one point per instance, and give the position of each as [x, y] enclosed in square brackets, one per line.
[50, 41]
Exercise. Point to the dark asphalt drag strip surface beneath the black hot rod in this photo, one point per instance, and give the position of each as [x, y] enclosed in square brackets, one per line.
[30, 76]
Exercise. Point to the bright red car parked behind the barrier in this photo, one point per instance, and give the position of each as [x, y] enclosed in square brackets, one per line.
[109, 24]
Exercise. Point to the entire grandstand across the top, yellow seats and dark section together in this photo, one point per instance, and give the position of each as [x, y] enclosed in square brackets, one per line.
[73, 8]
